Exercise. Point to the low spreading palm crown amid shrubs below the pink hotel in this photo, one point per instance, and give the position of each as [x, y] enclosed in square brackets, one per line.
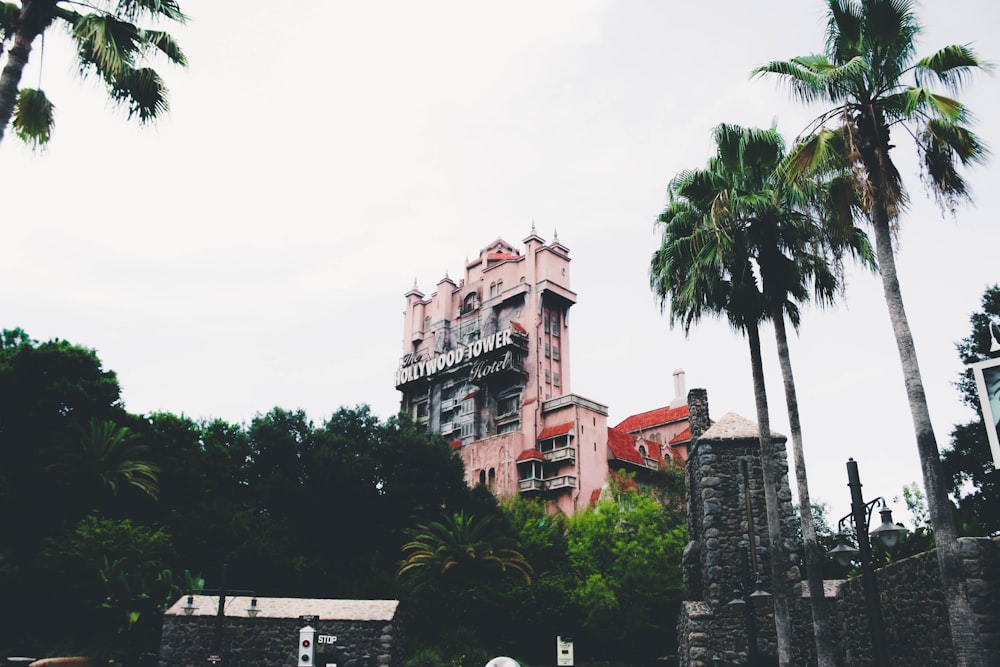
[459, 548]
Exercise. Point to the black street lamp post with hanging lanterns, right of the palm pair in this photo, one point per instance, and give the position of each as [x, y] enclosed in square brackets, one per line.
[888, 533]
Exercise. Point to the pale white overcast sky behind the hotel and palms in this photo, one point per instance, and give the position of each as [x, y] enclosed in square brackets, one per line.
[252, 248]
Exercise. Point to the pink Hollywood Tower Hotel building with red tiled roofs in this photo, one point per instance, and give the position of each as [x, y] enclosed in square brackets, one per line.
[486, 363]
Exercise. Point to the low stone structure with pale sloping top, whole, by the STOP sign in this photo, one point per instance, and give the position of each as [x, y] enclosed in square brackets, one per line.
[356, 633]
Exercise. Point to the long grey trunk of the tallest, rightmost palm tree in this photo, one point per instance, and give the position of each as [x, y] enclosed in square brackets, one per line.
[964, 629]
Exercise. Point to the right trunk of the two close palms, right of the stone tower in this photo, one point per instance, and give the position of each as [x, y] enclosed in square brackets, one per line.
[814, 559]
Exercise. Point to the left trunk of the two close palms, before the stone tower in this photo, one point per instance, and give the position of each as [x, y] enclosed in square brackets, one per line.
[782, 620]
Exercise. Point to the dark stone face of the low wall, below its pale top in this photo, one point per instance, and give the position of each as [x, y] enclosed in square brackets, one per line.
[273, 642]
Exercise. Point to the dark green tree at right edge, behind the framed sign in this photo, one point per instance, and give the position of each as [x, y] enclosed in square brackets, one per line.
[973, 480]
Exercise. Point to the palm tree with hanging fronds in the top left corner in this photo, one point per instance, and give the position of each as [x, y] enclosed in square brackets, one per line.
[108, 43]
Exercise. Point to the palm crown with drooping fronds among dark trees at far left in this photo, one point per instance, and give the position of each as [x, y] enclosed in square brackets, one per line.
[105, 458]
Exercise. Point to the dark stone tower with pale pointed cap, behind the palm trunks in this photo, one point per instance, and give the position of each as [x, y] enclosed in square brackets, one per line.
[728, 527]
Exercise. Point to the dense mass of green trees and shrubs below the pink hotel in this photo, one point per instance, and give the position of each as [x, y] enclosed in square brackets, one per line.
[108, 517]
